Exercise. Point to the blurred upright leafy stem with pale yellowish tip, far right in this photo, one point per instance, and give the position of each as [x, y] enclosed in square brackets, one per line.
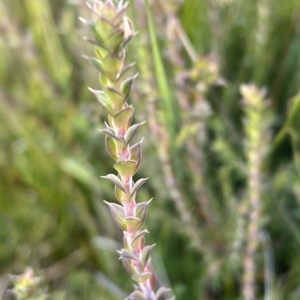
[255, 127]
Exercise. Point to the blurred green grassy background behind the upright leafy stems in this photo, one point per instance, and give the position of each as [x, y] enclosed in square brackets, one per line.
[192, 62]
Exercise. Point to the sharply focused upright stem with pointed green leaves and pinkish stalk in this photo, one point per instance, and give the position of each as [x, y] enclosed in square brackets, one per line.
[111, 31]
